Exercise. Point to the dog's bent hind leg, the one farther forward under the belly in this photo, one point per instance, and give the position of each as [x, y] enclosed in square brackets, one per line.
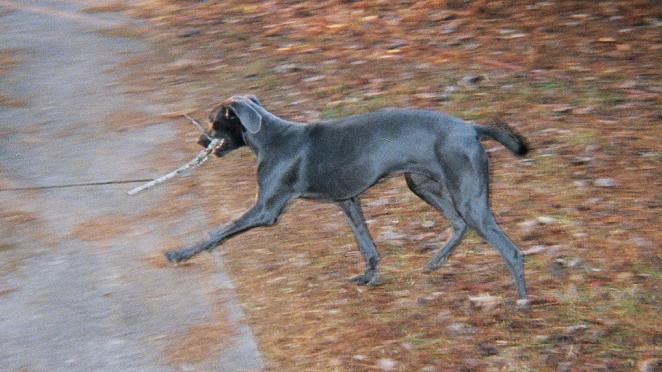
[432, 193]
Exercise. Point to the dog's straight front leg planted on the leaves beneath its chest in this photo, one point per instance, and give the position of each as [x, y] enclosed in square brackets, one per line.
[352, 209]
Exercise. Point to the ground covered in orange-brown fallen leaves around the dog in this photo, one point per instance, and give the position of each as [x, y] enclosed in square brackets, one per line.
[580, 79]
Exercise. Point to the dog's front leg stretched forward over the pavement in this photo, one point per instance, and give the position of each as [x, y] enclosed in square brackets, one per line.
[264, 213]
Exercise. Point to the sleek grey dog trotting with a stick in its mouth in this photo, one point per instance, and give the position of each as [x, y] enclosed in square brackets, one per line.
[441, 157]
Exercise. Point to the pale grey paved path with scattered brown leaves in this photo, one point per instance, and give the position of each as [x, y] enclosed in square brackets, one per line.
[67, 302]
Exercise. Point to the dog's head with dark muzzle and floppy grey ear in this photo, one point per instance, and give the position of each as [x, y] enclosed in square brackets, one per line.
[230, 120]
